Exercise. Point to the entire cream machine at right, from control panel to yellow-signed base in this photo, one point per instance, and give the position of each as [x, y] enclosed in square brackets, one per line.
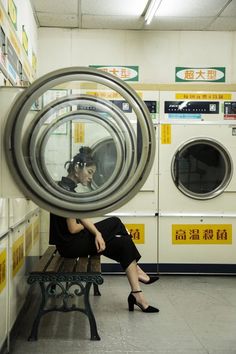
[197, 181]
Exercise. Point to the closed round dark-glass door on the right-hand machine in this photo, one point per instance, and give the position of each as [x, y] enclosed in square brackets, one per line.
[201, 168]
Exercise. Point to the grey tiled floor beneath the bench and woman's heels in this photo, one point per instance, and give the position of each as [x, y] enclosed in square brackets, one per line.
[197, 316]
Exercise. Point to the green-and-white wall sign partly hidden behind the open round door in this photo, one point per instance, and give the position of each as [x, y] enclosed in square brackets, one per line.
[126, 73]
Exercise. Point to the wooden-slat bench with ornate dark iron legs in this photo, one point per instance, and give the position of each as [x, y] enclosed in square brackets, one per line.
[64, 280]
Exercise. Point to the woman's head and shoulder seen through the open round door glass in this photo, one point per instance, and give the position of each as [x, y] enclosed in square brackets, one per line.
[80, 170]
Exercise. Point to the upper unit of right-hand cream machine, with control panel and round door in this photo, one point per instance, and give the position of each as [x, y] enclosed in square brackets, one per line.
[197, 160]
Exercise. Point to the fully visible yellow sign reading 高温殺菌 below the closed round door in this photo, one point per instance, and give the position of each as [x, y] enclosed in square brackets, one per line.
[201, 234]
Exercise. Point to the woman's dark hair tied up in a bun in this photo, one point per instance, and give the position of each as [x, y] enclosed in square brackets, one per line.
[82, 159]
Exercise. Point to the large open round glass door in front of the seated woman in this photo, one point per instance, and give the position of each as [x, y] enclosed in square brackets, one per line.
[64, 111]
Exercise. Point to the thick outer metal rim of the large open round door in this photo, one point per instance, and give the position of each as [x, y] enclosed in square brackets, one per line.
[15, 127]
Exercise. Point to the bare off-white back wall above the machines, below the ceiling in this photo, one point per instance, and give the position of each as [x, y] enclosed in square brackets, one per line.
[156, 53]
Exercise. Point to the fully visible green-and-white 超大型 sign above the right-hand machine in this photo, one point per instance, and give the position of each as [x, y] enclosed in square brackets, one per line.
[214, 74]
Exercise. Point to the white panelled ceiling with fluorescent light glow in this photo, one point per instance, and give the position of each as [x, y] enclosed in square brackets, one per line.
[172, 15]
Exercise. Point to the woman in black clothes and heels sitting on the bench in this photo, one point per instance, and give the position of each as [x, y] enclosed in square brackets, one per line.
[109, 237]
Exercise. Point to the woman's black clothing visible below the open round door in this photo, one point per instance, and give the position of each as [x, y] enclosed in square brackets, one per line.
[119, 244]
